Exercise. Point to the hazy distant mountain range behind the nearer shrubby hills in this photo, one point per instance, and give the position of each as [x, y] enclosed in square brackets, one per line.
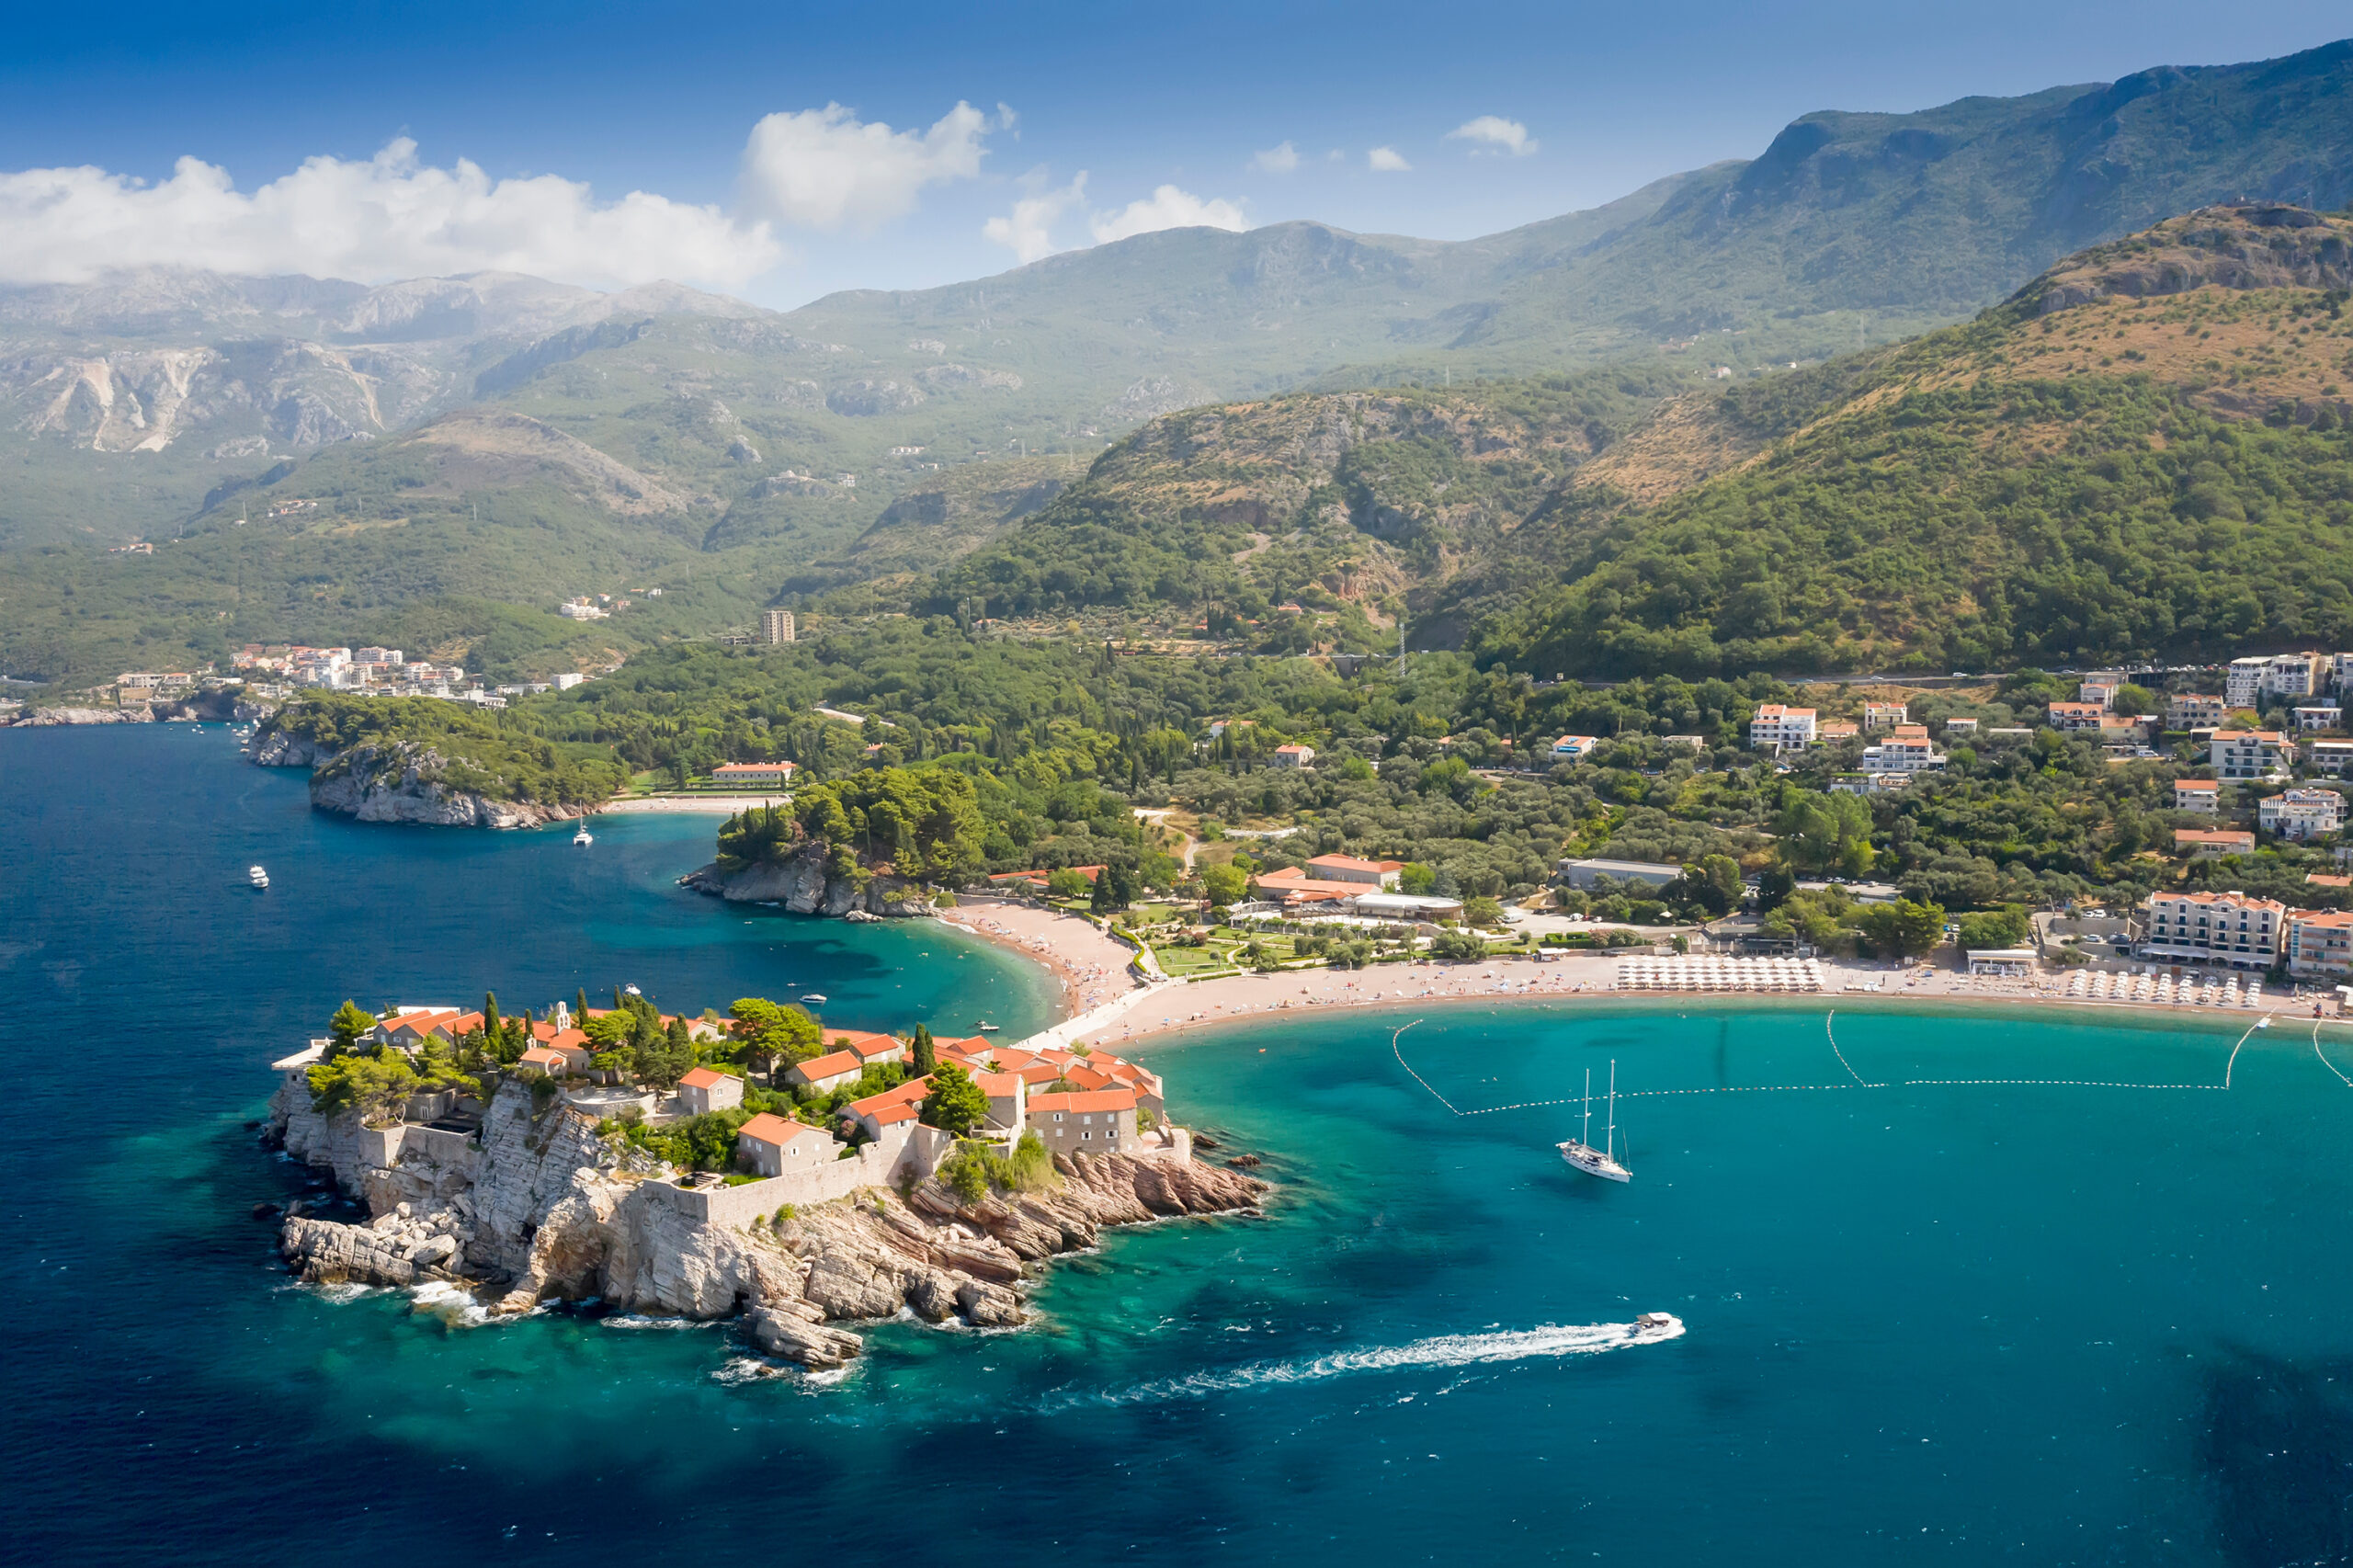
[500, 441]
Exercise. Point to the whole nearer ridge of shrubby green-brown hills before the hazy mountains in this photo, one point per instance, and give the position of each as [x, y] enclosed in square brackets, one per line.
[2145, 451]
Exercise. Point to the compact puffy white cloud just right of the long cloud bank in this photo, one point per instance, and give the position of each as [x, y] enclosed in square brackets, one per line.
[822, 168]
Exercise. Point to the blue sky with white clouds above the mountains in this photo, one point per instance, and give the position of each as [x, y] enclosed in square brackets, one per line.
[716, 114]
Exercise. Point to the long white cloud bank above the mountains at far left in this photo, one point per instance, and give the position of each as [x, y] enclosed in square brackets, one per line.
[385, 218]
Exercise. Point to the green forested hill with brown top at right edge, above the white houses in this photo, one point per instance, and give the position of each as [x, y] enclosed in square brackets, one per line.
[2140, 456]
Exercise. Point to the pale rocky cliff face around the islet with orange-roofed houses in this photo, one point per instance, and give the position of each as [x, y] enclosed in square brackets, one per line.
[547, 1209]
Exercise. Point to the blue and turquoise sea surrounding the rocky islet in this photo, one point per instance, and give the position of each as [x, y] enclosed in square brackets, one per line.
[2008, 1320]
